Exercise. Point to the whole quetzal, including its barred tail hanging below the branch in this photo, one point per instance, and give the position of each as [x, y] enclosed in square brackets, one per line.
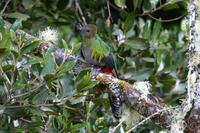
[96, 52]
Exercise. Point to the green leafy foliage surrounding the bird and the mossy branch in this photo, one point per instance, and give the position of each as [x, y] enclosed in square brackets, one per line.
[149, 41]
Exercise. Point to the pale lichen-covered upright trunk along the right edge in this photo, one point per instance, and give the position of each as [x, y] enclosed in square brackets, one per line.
[193, 117]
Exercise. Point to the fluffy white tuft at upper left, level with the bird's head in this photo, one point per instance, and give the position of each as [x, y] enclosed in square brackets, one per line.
[48, 35]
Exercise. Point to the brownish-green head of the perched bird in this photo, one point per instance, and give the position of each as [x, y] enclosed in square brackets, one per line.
[88, 31]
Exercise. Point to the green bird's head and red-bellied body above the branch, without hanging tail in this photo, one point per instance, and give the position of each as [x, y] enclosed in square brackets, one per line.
[95, 51]
